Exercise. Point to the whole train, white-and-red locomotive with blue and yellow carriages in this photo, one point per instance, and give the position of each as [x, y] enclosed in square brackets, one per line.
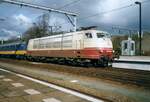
[82, 47]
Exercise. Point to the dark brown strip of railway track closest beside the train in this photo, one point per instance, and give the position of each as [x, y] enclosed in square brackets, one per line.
[125, 76]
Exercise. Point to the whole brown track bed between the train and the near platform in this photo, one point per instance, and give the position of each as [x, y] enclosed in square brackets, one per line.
[91, 81]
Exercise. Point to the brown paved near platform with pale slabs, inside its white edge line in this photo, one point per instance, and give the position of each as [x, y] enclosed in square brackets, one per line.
[17, 89]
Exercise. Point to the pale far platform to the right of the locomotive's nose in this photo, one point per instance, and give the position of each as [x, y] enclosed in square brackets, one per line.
[133, 62]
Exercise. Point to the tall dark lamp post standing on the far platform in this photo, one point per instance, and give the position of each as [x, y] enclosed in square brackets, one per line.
[140, 27]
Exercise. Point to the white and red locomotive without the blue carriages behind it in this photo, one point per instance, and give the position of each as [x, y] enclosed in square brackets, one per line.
[89, 45]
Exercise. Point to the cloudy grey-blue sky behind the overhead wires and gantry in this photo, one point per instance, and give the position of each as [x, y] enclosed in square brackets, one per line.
[18, 20]
